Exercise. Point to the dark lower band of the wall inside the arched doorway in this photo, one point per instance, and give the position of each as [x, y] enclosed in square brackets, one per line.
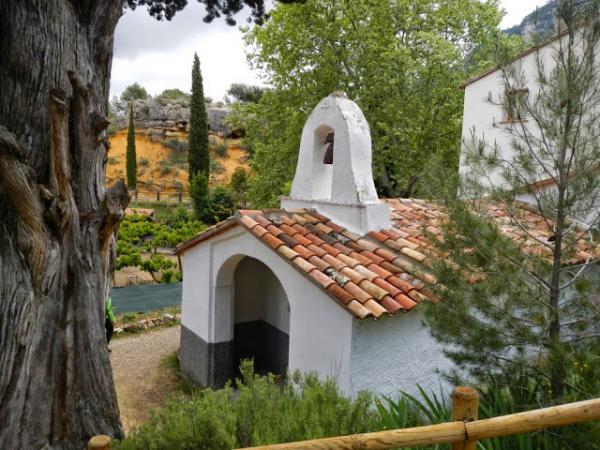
[266, 344]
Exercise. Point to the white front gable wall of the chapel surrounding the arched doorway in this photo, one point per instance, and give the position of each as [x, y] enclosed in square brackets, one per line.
[320, 330]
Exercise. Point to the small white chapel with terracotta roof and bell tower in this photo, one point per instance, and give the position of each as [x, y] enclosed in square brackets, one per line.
[331, 283]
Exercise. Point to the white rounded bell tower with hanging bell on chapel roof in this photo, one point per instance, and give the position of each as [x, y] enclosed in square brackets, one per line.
[333, 174]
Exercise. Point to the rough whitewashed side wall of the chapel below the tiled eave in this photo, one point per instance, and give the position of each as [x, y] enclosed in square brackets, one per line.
[395, 354]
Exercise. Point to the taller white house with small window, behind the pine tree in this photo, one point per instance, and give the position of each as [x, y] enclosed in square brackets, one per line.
[492, 113]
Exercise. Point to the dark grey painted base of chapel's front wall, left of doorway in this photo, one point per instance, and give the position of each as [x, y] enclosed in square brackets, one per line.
[203, 363]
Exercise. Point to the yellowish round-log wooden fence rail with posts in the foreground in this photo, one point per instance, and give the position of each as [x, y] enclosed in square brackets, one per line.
[463, 432]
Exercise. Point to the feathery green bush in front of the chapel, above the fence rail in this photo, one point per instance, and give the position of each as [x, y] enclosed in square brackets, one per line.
[261, 412]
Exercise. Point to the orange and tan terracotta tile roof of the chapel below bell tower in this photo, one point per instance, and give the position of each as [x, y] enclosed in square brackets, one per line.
[383, 272]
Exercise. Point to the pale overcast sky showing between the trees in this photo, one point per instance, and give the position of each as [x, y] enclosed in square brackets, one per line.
[158, 55]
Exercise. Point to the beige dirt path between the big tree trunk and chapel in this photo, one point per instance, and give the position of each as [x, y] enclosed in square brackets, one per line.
[141, 379]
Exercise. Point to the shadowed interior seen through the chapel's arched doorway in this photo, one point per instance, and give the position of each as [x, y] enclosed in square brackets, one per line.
[261, 318]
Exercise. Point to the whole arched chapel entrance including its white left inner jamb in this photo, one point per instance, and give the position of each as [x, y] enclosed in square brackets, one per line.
[251, 312]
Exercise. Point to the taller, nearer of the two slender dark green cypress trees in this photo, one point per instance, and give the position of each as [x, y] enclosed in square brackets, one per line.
[198, 152]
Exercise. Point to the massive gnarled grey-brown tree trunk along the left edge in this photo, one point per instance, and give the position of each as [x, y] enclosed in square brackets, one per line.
[56, 222]
